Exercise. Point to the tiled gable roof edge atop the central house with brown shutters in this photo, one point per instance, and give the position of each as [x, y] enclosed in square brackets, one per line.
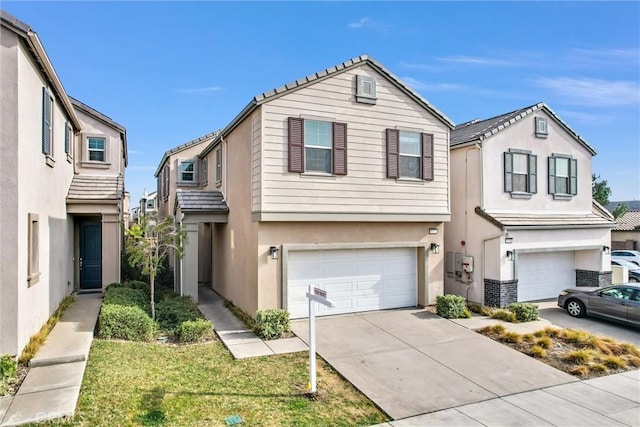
[319, 76]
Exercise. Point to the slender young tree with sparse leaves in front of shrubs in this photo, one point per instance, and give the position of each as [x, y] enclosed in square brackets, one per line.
[149, 242]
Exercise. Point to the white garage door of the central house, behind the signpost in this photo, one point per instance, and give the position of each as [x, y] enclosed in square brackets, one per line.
[355, 279]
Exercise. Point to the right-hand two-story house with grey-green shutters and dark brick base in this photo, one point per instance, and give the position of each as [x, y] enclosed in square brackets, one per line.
[523, 224]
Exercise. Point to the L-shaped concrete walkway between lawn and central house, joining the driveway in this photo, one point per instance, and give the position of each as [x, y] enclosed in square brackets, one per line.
[239, 340]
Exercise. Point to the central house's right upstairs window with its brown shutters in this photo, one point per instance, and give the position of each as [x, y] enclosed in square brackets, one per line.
[409, 155]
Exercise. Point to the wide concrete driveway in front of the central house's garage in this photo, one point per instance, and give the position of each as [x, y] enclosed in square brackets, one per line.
[411, 362]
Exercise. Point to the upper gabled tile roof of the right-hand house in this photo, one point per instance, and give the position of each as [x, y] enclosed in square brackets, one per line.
[479, 130]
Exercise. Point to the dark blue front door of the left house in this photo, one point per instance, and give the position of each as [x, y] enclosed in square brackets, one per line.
[90, 255]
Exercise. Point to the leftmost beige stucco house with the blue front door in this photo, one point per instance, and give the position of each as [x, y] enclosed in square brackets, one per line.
[61, 200]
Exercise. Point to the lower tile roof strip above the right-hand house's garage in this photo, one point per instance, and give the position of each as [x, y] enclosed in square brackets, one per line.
[525, 220]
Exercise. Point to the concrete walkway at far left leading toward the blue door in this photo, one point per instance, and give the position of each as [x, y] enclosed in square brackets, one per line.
[52, 386]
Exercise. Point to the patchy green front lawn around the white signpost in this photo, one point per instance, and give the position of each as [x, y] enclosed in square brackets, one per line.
[129, 383]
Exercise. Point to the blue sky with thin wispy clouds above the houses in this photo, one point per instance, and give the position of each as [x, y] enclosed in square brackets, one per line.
[173, 71]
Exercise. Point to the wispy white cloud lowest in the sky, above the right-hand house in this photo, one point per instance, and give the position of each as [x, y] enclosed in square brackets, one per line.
[595, 92]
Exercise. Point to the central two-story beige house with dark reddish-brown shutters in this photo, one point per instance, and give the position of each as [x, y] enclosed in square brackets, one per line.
[338, 180]
